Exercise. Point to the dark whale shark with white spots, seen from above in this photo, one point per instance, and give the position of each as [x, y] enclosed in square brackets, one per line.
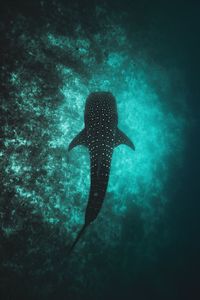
[100, 135]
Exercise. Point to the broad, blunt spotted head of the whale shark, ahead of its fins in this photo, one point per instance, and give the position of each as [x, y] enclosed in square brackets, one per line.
[99, 103]
